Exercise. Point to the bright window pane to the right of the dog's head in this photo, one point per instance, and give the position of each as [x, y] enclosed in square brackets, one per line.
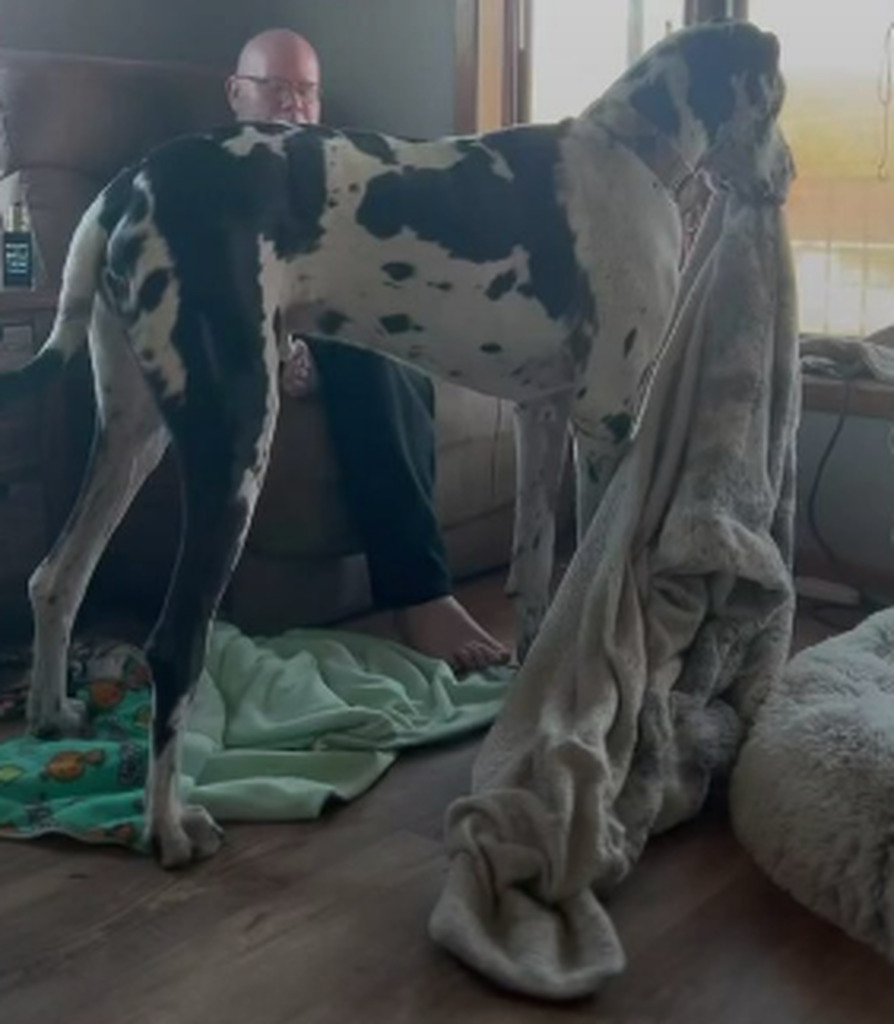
[837, 117]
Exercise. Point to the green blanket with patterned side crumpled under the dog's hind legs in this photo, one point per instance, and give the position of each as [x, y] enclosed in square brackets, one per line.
[278, 730]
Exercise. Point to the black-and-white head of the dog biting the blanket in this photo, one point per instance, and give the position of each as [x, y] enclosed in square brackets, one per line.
[735, 91]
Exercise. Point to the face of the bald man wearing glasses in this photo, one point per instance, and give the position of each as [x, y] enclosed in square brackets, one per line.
[278, 87]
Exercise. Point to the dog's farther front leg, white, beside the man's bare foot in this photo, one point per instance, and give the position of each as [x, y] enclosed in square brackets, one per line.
[541, 441]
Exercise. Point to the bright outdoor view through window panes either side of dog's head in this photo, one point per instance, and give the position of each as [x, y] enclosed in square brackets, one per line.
[842, 208]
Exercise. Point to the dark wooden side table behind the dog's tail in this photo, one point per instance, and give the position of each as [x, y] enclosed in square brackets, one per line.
[31, 433]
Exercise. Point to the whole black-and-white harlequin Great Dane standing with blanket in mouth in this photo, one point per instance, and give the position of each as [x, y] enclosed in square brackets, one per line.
[538, 264]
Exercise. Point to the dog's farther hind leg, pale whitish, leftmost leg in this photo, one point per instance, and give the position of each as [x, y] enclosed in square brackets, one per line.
[129, 444]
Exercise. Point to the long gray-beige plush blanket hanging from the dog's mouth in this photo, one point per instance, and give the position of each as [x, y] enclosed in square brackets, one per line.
[673, 617]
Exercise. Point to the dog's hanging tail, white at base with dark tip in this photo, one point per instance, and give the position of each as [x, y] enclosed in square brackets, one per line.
[81, 277]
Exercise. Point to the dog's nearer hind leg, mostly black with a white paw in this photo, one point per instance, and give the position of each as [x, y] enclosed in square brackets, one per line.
[222, 430]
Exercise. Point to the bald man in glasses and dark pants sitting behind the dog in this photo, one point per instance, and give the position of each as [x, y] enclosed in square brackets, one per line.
[381, 415]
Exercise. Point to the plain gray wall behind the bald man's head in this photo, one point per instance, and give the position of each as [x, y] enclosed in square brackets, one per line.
[388, 64]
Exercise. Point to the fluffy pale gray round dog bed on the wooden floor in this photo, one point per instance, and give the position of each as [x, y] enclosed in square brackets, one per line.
[814, 789]
